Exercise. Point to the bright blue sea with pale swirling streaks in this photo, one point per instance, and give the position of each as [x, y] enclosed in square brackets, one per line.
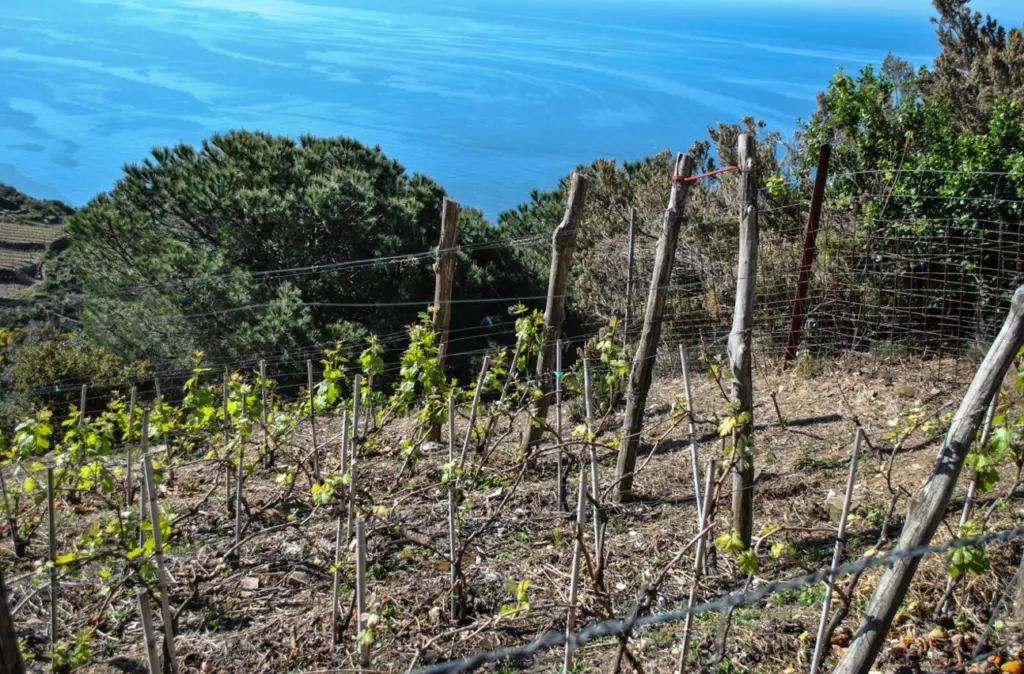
[491, 99]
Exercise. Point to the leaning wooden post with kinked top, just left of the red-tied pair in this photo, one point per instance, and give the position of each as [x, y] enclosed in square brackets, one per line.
[554, 315]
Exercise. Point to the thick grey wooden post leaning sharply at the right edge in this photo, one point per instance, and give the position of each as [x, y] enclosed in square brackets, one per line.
[927, 508]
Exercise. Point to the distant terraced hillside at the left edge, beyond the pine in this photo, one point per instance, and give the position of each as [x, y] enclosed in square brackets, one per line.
[28, 228]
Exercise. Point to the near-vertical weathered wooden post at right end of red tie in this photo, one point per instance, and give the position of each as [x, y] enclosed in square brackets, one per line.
[740, 342]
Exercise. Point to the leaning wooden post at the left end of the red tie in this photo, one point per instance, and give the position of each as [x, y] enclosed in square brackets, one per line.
[644, 361]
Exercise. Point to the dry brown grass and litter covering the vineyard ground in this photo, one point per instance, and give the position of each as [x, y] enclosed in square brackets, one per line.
[279, 622]
